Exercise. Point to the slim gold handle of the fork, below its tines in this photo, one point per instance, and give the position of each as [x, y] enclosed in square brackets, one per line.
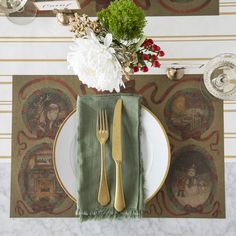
[103, 193]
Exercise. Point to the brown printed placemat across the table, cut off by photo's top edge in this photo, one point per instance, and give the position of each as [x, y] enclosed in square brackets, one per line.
[159, 7]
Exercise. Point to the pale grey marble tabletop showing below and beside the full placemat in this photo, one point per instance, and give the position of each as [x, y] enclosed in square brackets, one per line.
[160, 227]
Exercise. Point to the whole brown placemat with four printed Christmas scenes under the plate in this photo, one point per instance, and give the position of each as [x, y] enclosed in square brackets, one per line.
[194, 123]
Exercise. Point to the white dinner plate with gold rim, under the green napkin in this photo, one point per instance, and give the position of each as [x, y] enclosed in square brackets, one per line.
[155, 152]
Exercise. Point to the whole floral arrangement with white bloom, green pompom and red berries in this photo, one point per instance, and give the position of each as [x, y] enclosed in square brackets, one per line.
[112, 46]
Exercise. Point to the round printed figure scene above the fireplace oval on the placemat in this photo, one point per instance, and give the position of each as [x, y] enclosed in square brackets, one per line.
[44, 111]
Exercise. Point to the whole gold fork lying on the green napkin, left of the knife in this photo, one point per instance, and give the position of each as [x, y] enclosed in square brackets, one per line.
[102, 132]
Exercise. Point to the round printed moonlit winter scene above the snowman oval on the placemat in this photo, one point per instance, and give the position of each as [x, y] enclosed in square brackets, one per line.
[188, 113]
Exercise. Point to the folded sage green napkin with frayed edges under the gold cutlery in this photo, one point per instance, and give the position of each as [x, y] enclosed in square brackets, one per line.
[88, 157]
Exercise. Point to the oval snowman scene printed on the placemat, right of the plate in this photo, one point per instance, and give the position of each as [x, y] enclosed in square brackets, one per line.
[192, 181]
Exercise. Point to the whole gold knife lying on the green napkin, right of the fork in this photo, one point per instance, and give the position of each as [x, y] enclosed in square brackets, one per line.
[119, 203]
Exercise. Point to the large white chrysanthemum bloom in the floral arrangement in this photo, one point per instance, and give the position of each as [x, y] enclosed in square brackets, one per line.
[95, 63]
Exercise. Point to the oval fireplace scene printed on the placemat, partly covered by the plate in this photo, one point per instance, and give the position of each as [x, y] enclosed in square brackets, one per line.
[38, 183]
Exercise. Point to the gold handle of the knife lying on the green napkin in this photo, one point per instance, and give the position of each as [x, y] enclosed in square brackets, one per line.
[119, 203]
